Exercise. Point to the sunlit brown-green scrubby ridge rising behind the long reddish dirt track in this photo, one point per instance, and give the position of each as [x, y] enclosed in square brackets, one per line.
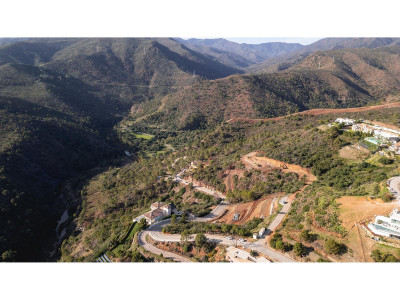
[326, 79]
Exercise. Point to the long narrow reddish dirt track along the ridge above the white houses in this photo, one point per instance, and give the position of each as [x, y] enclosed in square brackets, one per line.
[320, 111]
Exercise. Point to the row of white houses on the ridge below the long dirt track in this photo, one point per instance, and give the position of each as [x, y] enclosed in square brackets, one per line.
[382, 136]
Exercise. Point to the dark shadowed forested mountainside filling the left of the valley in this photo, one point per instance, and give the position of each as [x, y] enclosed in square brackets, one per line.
[59, 102]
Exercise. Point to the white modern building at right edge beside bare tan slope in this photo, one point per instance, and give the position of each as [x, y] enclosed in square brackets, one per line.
[387, 226]
